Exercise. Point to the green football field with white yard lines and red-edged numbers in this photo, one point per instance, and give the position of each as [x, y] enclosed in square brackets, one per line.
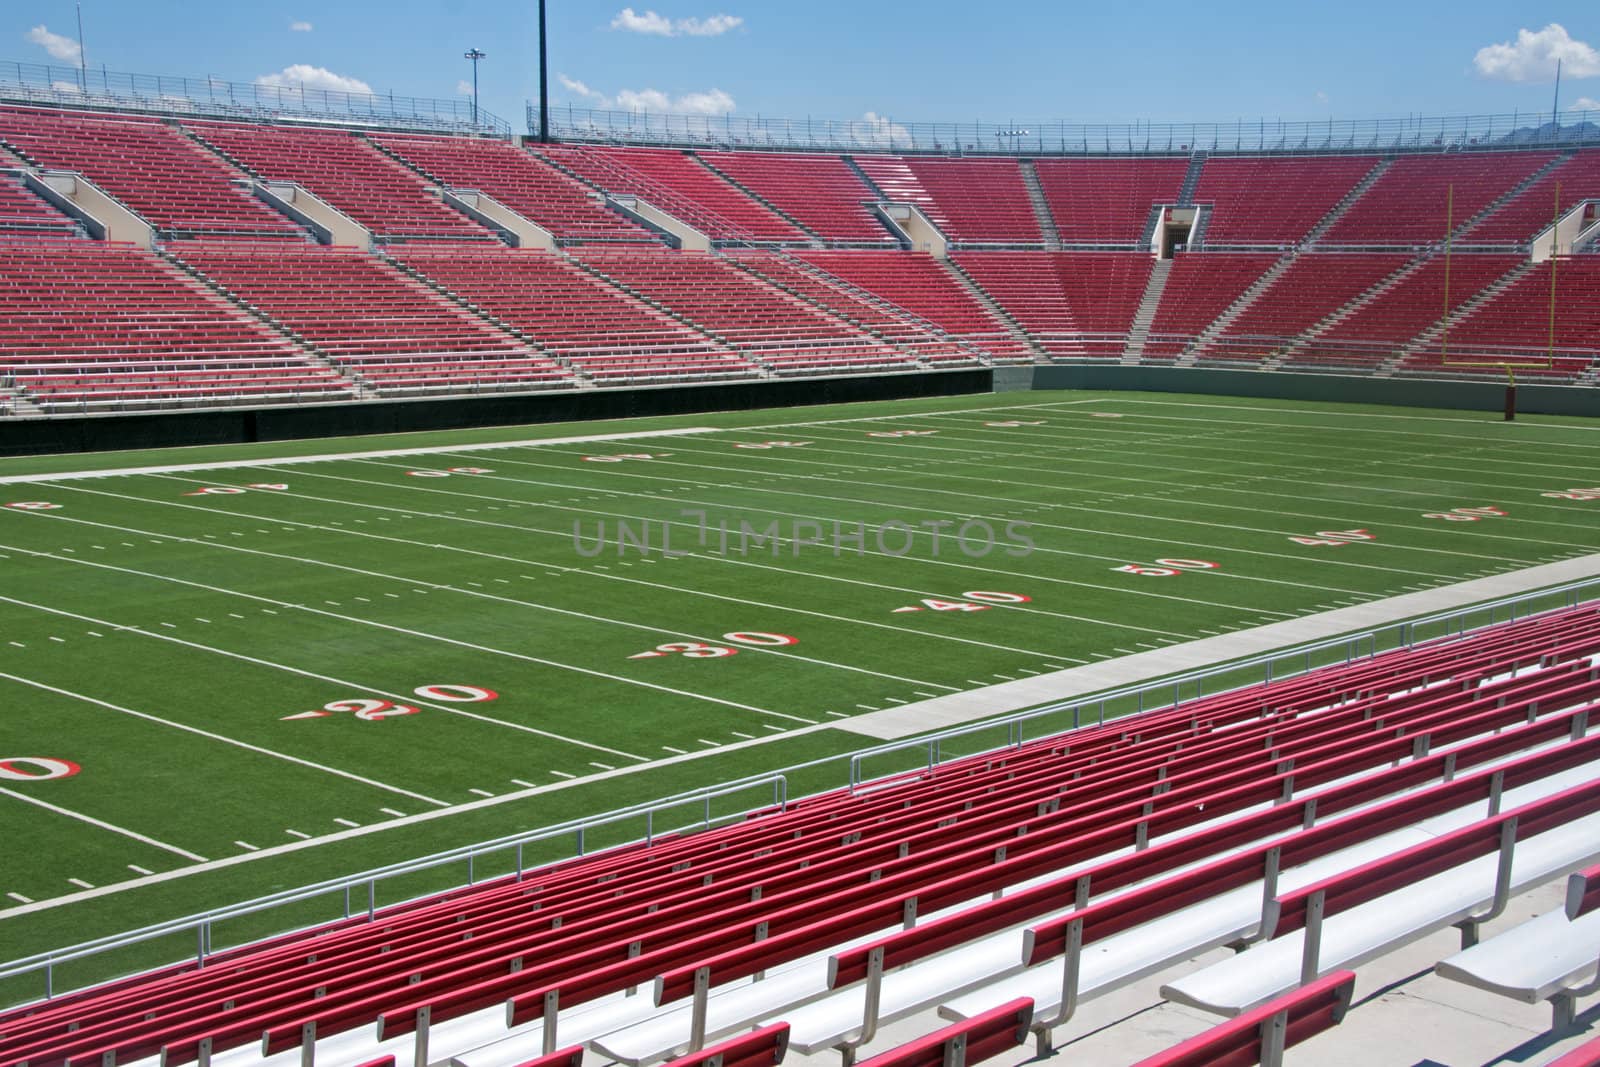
[241, 669]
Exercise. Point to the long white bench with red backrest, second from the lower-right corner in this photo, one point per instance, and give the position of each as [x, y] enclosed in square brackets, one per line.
[1462, 879]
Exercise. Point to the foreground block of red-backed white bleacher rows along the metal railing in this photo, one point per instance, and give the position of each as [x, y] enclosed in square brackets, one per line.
[1324, 773]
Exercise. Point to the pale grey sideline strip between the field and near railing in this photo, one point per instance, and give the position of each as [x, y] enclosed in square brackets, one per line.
[1065, 685]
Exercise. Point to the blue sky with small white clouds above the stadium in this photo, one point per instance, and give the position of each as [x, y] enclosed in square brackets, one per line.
[1009, 62]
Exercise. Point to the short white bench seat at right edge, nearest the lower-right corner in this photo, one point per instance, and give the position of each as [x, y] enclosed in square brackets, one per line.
[1553, 957]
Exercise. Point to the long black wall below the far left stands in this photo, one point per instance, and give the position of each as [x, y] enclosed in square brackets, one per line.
[230, 426]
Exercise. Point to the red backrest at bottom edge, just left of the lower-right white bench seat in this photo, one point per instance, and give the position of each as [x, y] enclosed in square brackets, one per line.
[1262, 1036]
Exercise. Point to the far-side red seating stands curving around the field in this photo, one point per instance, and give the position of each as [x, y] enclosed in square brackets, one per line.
[1001, 298]
